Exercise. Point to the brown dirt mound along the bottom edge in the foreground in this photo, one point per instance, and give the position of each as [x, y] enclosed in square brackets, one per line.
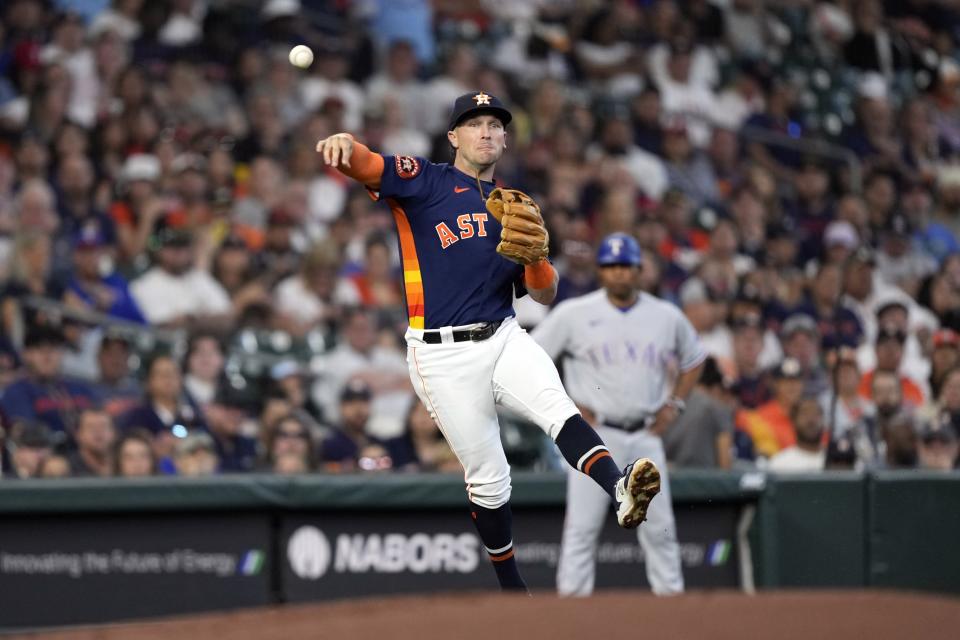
[715, 615]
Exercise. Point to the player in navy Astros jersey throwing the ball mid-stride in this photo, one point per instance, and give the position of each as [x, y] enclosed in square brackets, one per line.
[466, 247]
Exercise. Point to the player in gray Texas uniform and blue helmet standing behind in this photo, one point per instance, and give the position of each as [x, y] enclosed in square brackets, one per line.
[630, 361]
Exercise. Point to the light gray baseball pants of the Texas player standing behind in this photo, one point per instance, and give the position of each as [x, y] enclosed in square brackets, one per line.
[588, 509]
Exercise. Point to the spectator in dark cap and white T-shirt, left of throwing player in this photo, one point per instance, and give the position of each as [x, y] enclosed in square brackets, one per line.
[176, 292]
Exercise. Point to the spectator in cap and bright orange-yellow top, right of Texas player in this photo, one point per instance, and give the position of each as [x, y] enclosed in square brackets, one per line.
[769, 426]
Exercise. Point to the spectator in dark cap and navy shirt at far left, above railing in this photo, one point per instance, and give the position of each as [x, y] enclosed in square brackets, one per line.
[42, 392]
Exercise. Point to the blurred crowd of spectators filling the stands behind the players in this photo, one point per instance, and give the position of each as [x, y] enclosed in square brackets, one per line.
[186, 289]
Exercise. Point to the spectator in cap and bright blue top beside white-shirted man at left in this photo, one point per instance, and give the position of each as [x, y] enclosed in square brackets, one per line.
[89, 288]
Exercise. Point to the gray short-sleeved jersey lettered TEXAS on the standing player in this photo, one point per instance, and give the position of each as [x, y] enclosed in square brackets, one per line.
[621, 364]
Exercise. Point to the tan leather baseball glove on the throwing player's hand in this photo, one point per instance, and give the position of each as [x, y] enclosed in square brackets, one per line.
[524, 238]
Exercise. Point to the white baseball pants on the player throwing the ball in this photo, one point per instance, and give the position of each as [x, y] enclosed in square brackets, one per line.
[460, 384]
